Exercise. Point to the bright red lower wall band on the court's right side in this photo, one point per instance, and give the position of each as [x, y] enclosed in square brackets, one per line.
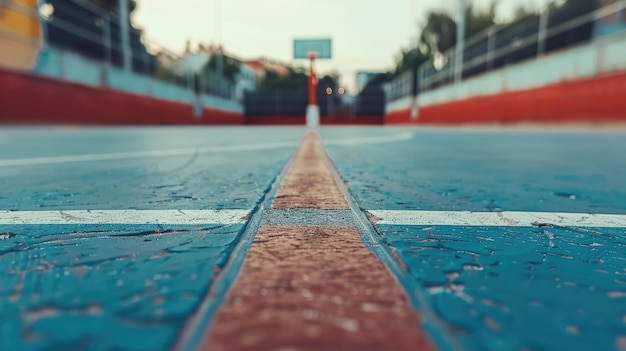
[599, 99]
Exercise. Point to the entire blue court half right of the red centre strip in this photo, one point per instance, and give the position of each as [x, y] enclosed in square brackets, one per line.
[552, 286]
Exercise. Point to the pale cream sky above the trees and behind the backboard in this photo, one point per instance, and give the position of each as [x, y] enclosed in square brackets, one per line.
[366, 35]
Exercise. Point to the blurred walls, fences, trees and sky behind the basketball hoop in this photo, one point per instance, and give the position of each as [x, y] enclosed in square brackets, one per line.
[395, 62]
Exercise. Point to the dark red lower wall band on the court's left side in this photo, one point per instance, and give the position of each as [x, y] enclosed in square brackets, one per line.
[29, 99]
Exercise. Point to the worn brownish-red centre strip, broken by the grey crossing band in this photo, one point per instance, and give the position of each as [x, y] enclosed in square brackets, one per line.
[313, 287]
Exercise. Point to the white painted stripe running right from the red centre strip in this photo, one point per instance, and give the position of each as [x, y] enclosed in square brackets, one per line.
[508, 219]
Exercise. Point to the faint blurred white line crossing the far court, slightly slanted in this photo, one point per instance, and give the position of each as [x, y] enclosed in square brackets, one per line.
[34, 161]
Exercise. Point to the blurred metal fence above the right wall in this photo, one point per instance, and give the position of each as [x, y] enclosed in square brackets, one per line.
[502, 45]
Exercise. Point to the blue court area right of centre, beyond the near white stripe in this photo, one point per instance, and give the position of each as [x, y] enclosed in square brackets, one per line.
[486, 170]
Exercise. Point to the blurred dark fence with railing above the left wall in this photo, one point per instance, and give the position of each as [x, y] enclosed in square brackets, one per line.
[96, 34]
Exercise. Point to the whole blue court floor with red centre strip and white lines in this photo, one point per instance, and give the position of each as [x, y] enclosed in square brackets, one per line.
[237, 238]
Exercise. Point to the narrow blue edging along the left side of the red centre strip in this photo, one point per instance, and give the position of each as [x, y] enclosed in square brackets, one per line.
[190, 336]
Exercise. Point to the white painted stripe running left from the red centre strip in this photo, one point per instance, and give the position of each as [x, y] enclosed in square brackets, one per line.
[182, 217]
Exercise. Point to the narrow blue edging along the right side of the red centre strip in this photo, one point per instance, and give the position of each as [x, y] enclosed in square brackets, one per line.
[373, 241]
